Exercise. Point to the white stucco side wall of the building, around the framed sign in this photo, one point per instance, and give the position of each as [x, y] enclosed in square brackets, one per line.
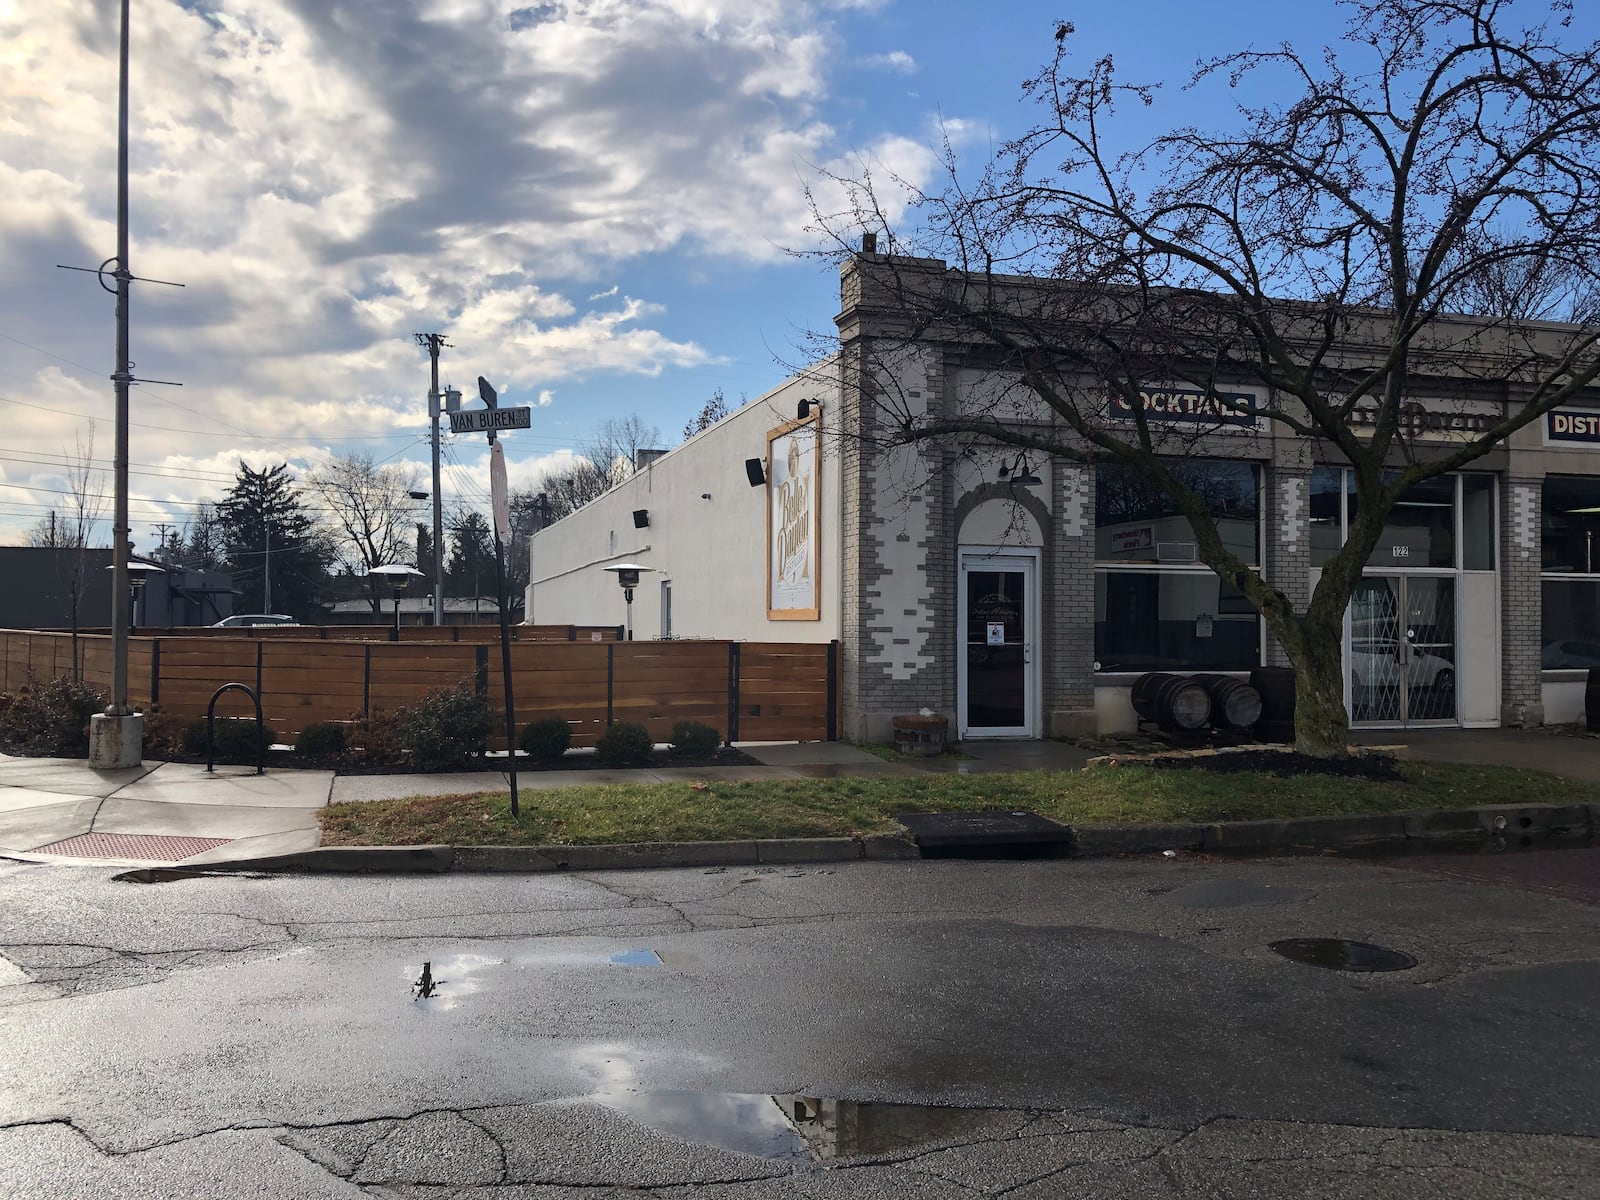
[706, 535]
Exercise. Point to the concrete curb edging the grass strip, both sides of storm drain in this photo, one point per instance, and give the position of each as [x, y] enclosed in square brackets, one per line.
[1492, 826]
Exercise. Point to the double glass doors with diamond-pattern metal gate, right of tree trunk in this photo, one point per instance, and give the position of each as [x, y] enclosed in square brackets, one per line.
[1404, 650]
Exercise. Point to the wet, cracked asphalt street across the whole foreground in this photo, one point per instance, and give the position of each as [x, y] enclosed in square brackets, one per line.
[958, 1030]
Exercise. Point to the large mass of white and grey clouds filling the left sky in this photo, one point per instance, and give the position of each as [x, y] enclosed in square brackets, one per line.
[330, 180]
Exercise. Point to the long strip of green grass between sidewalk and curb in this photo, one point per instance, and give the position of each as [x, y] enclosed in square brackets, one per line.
[719, 812]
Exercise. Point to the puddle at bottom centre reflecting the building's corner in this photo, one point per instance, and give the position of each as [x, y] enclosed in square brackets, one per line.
[801, 1127]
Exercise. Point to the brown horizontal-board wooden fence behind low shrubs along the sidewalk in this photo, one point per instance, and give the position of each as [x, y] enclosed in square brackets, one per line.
[746, 690]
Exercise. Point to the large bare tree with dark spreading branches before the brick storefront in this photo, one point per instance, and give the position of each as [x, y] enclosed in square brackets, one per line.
[1308, 260]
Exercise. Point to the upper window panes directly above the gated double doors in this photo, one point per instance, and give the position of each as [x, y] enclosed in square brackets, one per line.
[1442, 522]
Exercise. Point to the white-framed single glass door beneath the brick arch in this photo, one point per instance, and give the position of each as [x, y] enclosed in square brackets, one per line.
[998, 647]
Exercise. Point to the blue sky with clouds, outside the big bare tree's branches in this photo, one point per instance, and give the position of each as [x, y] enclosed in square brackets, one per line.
[598, 202]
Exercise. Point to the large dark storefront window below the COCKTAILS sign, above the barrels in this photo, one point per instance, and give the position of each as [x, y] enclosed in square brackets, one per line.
[1156, 606]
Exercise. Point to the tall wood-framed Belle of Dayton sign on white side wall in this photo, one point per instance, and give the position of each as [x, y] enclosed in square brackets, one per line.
[793, 521]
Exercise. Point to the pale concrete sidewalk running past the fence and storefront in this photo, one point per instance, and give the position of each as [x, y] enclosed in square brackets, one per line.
[60, 810]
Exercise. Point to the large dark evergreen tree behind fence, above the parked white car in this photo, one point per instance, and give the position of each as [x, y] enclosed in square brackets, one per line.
[276, 550]
